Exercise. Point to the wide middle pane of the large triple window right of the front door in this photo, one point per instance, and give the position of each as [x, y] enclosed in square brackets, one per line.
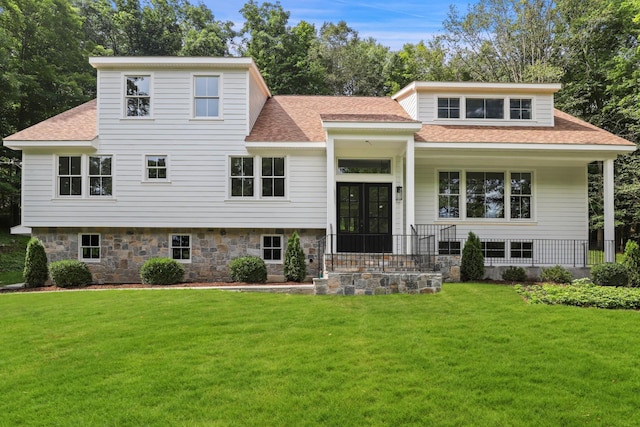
[485, 195]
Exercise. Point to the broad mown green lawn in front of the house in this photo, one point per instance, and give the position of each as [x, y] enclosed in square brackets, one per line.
[471, 355]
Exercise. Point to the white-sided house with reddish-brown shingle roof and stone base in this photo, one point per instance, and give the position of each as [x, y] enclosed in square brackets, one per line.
[194, 159]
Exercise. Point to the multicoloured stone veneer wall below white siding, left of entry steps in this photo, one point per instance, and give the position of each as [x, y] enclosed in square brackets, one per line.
[123, 251]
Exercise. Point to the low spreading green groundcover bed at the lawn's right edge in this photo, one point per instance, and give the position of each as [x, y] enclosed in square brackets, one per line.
[582, 295]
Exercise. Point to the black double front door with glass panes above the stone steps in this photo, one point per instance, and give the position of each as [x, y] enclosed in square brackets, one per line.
[364, 217]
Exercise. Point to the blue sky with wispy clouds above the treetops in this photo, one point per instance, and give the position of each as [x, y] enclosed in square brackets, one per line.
[391, 23]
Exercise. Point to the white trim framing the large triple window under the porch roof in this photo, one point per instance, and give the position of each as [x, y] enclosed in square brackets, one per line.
[507, 197]
